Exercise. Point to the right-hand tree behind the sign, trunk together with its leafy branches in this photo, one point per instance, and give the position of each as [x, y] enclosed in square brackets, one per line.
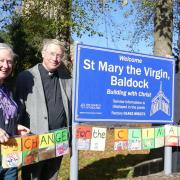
[157, 19]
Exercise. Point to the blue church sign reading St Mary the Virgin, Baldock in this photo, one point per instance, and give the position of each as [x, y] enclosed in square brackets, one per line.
[118, 86]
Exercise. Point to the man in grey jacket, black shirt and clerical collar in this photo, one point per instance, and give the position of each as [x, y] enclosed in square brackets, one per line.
[44, 95]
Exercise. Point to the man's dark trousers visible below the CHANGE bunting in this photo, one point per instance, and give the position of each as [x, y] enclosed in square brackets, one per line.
[43, 170]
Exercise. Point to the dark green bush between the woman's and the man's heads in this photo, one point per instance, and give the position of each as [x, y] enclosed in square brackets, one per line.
[23, 45]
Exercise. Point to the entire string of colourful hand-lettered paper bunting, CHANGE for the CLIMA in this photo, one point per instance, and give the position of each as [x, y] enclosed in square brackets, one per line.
[25, 150]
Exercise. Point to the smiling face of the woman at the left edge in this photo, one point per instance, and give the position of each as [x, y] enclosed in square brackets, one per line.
[6, 64]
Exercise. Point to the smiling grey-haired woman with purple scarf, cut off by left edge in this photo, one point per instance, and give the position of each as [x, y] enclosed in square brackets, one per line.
[8, 107]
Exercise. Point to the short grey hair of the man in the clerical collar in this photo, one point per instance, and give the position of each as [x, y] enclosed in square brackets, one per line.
[47, 42]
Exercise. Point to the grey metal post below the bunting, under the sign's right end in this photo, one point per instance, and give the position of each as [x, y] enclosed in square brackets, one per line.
[167, 160]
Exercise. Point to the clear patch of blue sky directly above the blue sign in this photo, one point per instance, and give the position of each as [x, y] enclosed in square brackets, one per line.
[126, 29]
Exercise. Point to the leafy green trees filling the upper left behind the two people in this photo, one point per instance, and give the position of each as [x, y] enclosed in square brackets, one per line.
[53, 19]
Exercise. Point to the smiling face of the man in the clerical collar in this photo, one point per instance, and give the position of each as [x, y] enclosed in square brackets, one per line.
[52, 57]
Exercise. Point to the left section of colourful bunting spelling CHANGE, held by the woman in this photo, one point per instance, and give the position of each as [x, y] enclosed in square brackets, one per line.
[22, 151]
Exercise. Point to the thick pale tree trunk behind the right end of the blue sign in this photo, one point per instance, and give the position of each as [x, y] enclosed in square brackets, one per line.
[163, 29]
